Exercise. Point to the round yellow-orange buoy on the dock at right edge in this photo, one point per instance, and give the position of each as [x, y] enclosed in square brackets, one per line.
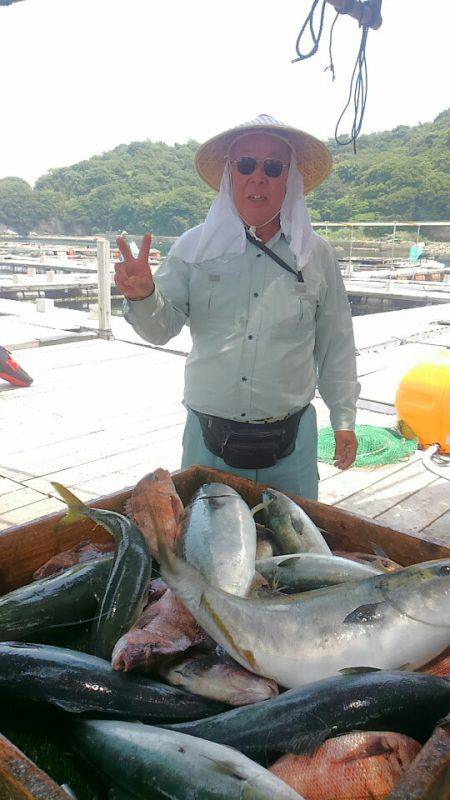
[423, 401]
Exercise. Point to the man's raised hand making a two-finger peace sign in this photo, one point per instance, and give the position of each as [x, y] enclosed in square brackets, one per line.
[133, 275]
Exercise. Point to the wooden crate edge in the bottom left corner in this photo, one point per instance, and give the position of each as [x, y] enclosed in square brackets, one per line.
[21, 779]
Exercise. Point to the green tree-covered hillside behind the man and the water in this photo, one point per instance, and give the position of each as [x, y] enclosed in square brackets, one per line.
[398, 174]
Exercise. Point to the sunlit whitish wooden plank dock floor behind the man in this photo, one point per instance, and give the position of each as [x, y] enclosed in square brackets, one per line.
[101, 414]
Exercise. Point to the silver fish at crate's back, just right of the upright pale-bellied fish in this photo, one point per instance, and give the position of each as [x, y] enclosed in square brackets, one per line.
[293, 530]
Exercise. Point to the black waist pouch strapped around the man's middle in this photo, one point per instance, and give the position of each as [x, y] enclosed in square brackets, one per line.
[248, 445]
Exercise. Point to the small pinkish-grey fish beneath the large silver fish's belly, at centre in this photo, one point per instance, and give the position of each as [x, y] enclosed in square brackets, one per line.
[218, 676]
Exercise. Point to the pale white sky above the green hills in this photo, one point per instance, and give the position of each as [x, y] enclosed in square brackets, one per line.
[79, 77]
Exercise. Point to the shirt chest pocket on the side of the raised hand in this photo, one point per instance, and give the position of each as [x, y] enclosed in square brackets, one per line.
[214, 293]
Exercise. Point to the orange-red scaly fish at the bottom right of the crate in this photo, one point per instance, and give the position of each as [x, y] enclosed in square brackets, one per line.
[356, 766]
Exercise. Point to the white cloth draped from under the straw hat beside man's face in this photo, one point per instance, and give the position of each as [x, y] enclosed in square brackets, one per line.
[222, 233]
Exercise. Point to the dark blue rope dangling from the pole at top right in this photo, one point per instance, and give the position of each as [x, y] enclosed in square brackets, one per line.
[359, 80]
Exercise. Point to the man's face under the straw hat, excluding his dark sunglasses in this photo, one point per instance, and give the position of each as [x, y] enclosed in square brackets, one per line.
[258, 197]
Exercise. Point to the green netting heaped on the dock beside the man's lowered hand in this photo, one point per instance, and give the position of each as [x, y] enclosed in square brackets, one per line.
[376, 446]
